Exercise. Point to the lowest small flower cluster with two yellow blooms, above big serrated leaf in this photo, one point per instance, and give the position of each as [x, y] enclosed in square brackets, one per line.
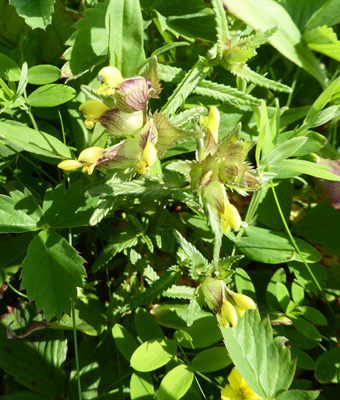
[227, 304]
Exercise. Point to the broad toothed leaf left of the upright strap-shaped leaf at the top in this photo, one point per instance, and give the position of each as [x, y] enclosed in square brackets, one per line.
[86, 50]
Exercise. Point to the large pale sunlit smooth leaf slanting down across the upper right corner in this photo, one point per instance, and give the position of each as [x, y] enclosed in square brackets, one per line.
[265, 14]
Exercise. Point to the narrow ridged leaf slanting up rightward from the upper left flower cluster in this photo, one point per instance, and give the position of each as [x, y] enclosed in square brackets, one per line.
[191, 79]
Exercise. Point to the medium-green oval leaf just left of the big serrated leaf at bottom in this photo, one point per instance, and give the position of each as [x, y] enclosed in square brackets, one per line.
[211, 359]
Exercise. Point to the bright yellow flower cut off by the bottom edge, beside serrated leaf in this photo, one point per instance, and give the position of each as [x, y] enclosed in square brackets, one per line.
[238, 388]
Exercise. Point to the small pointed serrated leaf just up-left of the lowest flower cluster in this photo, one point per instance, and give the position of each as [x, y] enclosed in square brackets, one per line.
[194, 260]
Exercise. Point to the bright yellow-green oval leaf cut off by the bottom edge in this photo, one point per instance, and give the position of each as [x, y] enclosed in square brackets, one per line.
[175, 383]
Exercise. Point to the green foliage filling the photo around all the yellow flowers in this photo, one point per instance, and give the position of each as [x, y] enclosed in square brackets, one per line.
[100, 275]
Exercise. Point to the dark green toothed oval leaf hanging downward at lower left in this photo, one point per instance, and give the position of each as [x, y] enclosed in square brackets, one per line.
[51, 272]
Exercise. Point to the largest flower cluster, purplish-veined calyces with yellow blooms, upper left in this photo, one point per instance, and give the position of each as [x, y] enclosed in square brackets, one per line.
[148, 136]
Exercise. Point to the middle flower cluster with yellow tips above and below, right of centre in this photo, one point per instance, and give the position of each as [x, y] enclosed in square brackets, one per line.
[220, 166]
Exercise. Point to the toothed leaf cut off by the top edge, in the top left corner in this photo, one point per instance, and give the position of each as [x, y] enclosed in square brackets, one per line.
[37, 13]
